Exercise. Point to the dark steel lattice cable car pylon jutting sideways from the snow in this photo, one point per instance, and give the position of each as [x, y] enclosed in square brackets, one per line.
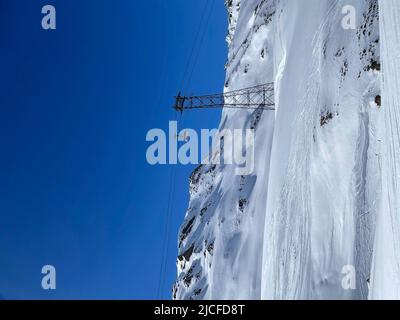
[258, 97]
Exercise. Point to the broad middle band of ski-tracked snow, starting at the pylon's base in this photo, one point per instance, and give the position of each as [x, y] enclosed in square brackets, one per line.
[324, 165]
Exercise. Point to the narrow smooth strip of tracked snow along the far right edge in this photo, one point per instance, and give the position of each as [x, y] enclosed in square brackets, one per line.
[386, 266]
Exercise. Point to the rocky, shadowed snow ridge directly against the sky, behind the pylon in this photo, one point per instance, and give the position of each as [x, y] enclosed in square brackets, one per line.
[220, 242]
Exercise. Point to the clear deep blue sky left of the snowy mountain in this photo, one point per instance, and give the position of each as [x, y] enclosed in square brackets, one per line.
[76, 104]
